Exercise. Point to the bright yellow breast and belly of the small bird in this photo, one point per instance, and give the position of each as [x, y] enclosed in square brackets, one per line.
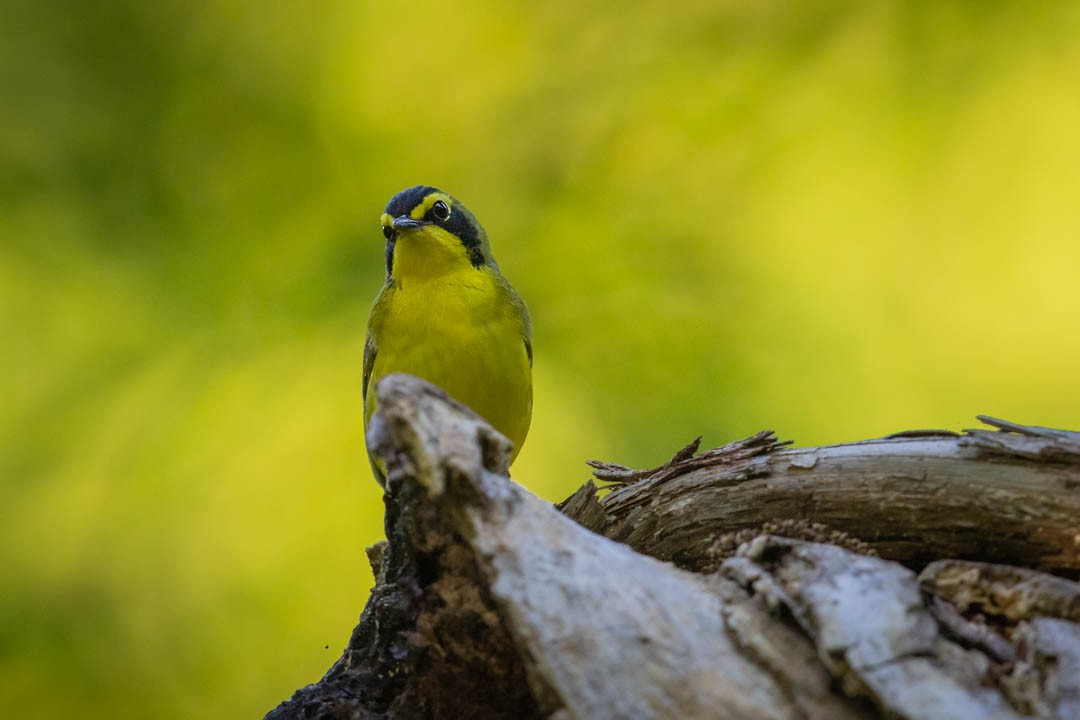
[464, 339]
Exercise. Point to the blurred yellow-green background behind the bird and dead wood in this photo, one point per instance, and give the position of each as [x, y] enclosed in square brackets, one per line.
[835, 220]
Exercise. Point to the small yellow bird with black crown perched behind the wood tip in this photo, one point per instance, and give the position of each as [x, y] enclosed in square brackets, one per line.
[449, 316]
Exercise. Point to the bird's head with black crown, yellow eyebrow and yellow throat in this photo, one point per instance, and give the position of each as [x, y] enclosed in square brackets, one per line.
[429, 233]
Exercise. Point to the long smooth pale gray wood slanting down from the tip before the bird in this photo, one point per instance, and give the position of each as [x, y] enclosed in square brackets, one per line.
[611, 633]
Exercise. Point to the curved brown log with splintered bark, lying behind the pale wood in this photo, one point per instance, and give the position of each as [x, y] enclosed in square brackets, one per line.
[1001, 497]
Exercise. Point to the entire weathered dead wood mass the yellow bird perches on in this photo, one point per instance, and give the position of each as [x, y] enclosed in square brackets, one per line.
[752, 581]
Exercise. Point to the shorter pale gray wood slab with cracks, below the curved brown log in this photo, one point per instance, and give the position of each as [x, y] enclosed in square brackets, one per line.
[869, 622]
